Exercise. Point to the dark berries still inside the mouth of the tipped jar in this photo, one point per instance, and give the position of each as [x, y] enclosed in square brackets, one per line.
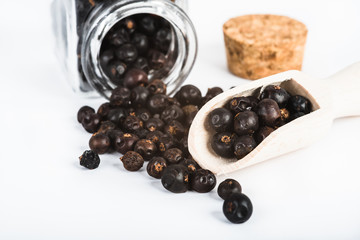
[136, 49]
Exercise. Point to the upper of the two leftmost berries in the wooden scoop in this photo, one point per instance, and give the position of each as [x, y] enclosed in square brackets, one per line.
[220, 120]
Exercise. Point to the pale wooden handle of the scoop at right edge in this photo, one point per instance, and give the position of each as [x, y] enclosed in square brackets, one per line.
[345, 89]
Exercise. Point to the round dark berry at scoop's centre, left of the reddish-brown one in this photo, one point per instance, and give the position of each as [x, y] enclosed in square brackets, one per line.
[246, 123]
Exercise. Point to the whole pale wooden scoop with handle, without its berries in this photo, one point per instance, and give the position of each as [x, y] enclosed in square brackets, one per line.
[333, 97]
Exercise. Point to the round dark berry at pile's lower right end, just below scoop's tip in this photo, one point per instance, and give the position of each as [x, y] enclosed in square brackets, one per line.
[202, 181]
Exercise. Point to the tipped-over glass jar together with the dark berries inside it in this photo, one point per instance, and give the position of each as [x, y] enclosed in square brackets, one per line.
[99, 43]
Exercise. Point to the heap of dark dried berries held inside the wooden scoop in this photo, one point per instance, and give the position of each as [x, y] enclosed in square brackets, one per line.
[245, 121]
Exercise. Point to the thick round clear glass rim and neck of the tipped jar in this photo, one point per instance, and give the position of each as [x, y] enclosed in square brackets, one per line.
[107, 14]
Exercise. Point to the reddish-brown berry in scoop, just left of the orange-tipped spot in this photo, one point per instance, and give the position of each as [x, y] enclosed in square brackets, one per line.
[268, 112]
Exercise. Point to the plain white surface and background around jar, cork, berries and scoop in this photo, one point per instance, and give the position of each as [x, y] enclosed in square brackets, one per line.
[45, 194]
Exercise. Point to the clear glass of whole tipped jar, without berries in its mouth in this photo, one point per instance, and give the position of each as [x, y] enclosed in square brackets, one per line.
[80, 28]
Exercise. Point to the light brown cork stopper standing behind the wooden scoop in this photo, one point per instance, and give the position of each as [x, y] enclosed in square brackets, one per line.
[258, 46]
